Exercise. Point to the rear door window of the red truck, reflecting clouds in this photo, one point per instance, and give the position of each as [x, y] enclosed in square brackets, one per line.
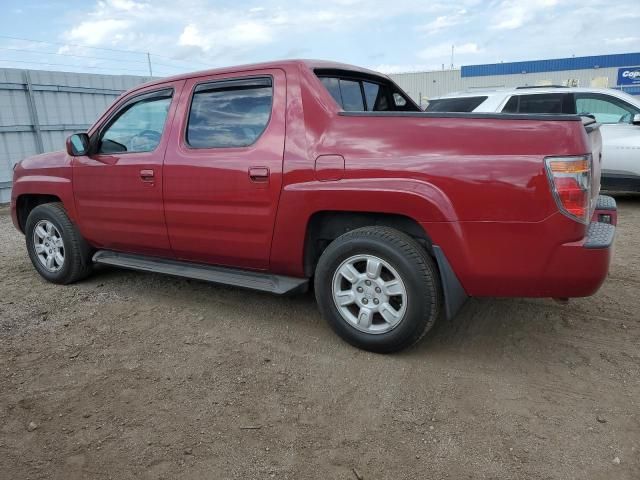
[230, 113]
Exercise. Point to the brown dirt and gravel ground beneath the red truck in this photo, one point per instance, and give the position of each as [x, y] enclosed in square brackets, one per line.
[137, 375]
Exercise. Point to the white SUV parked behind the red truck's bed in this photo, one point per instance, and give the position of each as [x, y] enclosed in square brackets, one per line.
[617, 112]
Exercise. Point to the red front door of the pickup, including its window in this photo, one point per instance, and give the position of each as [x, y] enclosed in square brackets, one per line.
[118, 186]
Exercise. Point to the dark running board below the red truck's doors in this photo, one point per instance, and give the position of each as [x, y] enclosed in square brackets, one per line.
[239, 278]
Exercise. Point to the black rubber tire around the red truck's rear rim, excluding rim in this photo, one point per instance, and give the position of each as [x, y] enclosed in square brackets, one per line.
[411, 261]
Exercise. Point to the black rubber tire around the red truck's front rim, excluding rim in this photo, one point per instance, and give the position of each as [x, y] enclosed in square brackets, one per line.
[77, 252]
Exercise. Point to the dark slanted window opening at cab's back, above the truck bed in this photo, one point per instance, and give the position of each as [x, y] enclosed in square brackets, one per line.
[366, 93]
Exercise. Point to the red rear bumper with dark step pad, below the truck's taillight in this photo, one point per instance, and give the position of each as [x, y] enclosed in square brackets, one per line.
[509, 259]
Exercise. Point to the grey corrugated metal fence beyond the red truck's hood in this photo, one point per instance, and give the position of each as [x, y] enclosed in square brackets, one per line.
[39, 109]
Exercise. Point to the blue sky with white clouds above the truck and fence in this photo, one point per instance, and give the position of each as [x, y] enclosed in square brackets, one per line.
[112, 36]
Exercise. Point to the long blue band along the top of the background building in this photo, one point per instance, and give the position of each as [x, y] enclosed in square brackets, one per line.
[553, 65]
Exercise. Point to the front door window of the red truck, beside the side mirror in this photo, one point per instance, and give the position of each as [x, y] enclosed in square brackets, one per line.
[138, 126]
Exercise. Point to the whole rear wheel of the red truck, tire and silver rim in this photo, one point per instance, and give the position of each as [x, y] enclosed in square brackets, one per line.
[378, 289]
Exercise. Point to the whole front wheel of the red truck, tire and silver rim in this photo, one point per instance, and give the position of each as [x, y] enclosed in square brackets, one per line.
[56, 248]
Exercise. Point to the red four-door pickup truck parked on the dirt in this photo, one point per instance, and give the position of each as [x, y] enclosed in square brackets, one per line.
[276, 175]
